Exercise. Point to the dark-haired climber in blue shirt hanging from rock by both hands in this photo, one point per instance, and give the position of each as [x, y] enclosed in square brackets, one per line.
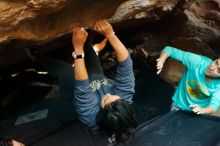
[99, 101]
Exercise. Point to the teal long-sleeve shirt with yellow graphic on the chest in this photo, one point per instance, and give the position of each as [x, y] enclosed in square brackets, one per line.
[193, 88]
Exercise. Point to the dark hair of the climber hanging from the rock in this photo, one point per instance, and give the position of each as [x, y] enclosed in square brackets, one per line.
[117, 118]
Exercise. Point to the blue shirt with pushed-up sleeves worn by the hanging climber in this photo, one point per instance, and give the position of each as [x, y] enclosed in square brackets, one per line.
[88, 96]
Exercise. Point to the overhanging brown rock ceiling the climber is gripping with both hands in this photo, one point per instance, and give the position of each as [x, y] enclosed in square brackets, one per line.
[39, 21]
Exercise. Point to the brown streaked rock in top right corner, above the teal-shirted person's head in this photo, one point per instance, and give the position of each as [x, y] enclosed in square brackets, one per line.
[204, 19]
